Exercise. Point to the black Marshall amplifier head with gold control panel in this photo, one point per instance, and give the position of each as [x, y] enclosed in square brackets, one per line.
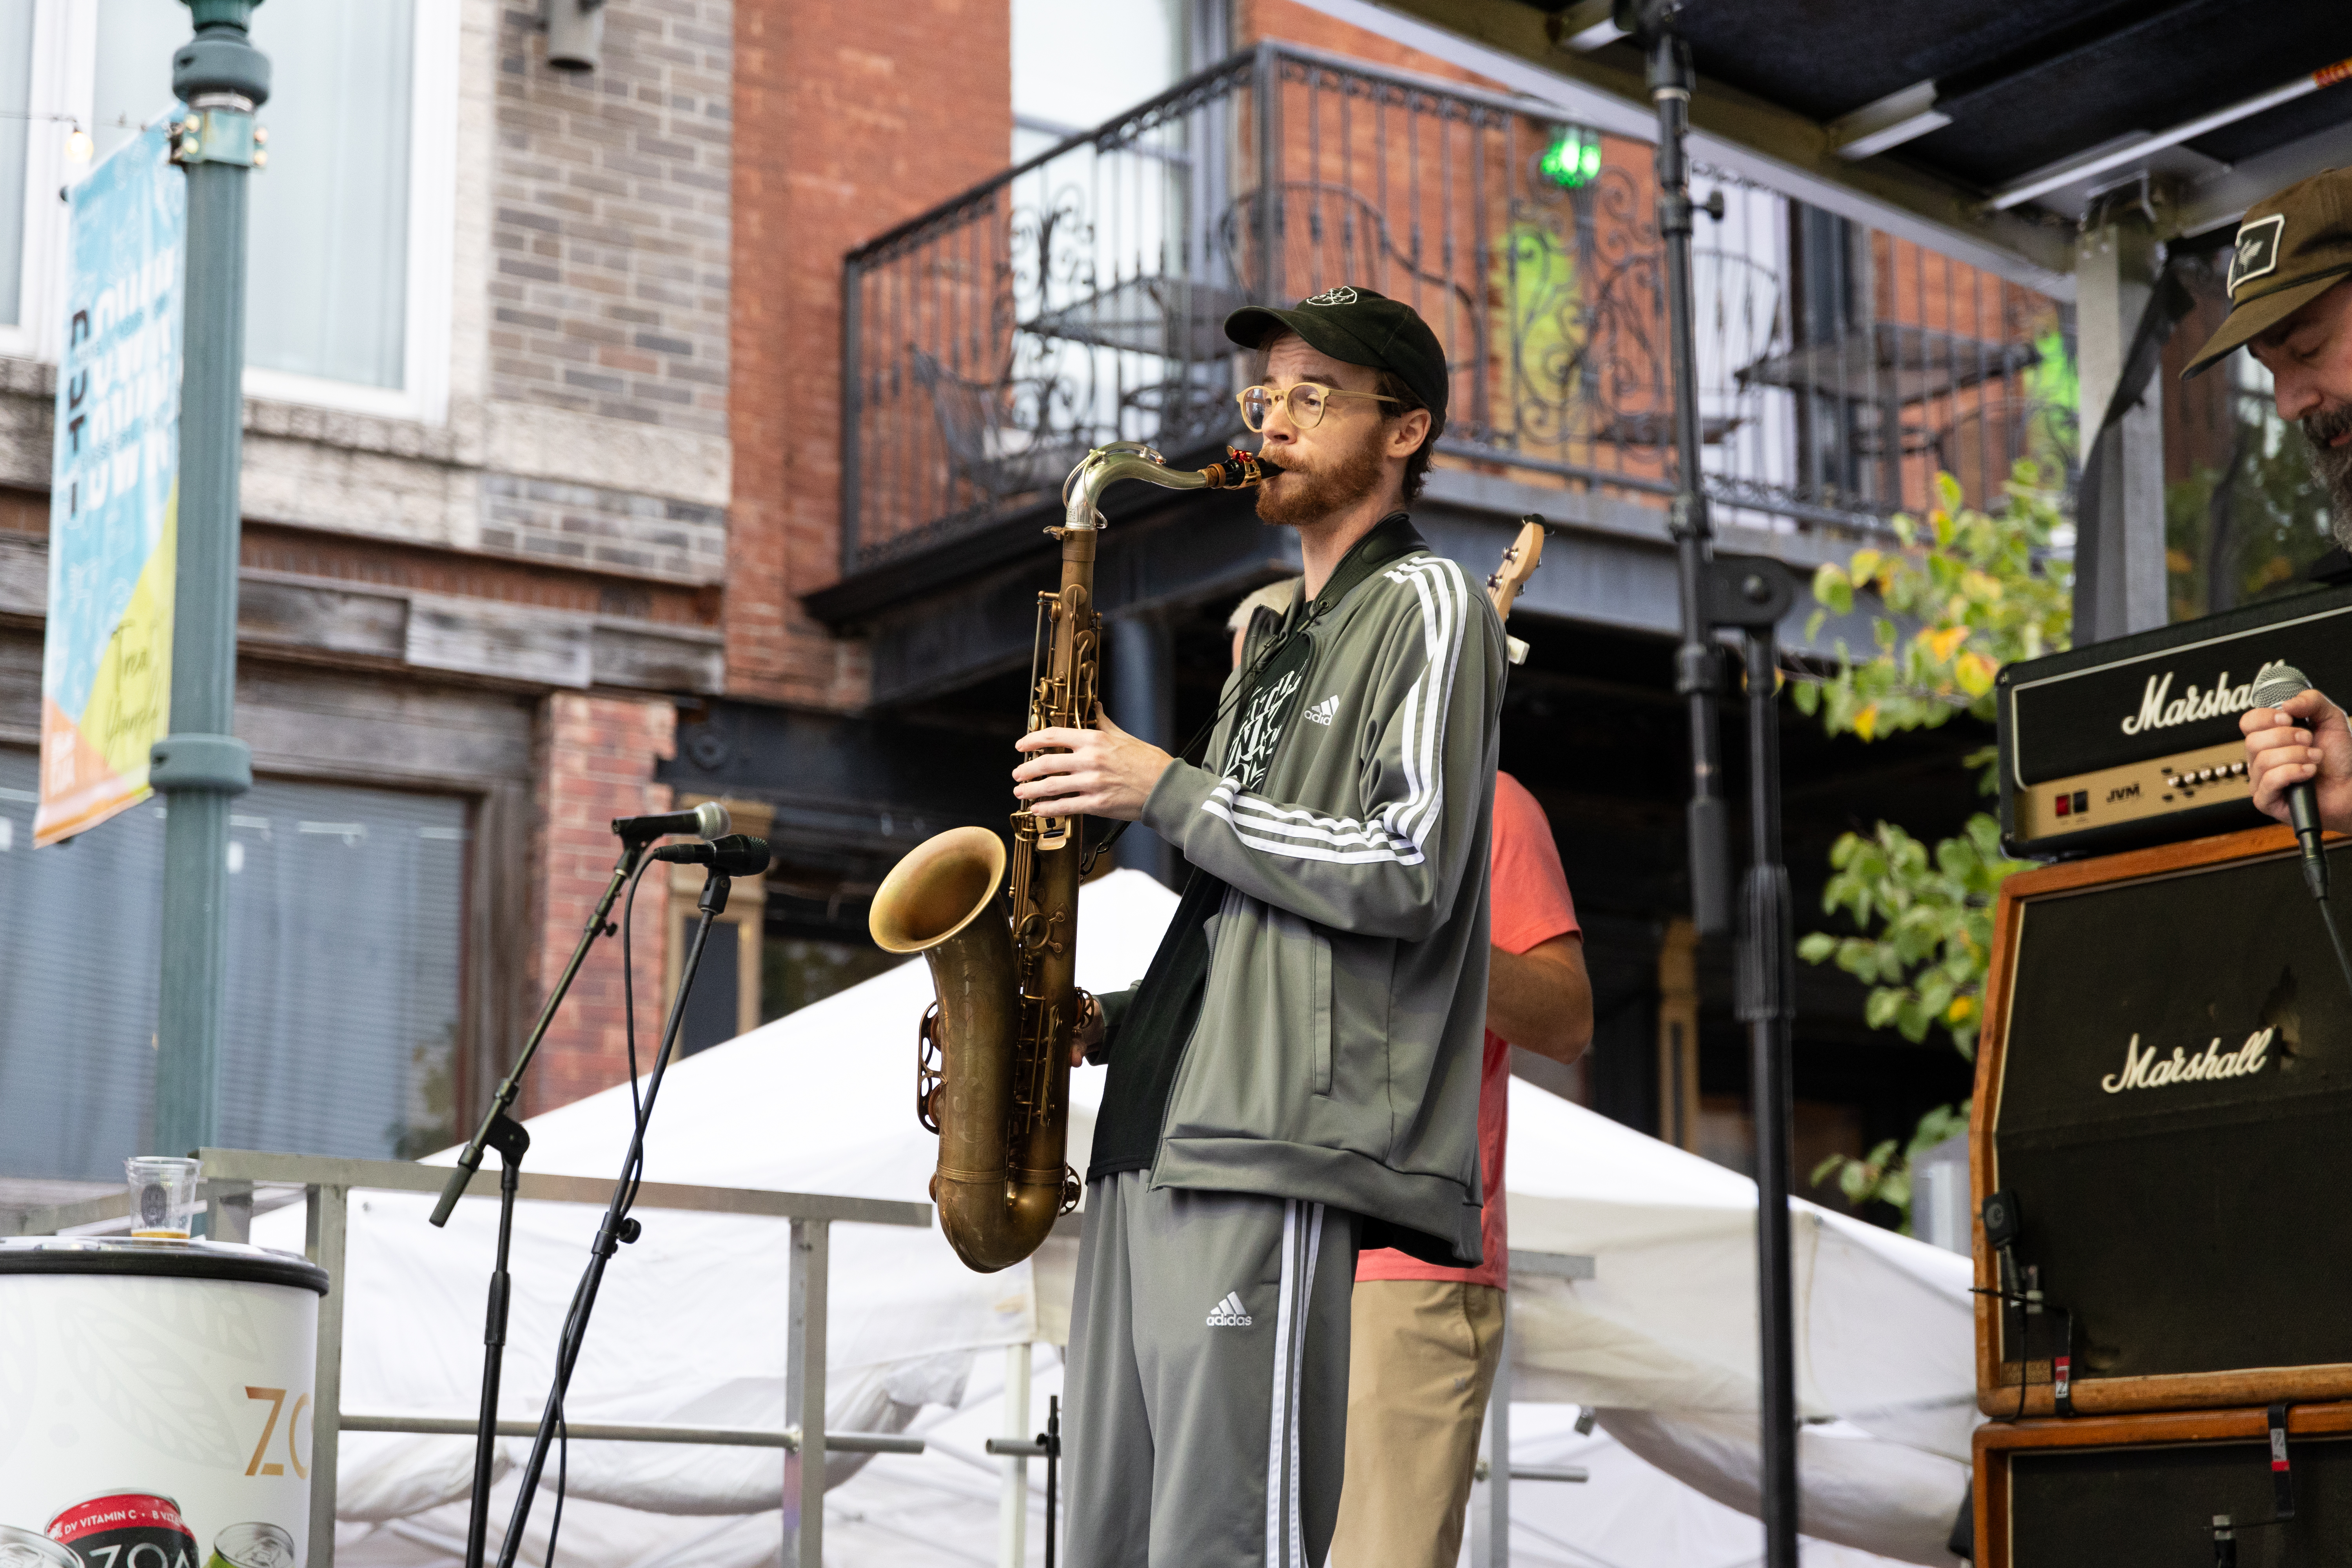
[2134, 742]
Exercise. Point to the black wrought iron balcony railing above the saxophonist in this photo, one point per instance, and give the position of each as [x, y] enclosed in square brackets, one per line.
[1081, 297]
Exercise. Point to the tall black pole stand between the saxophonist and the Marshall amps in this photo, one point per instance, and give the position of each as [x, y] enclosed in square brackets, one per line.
[1753, 596]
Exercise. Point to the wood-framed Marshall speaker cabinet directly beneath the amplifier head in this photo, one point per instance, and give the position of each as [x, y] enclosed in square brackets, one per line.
[2165, 1097]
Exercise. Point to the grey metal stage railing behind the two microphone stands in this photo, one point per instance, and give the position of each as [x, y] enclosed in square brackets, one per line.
[236, 1186]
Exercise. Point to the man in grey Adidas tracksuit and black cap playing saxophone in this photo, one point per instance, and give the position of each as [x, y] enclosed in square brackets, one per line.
[1297, 1076]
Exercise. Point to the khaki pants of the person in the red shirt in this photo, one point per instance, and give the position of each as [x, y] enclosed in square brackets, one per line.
[1419, 1369]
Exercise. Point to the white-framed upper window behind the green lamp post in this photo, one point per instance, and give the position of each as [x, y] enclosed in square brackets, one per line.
[349, 227]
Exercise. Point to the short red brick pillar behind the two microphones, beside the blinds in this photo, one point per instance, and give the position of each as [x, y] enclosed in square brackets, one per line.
[599, 763]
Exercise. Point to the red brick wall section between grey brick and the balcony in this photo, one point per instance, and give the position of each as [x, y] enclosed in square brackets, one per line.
[850, 119]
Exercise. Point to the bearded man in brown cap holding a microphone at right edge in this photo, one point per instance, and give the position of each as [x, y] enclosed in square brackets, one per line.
[2292, 309]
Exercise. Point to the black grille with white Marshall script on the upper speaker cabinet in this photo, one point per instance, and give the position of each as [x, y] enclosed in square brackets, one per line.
[2191, 1226]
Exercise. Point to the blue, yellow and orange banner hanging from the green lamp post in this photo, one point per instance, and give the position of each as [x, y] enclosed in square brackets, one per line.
[114, 492]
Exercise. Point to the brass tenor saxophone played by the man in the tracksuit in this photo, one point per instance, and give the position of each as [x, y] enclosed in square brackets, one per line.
[994, 1050]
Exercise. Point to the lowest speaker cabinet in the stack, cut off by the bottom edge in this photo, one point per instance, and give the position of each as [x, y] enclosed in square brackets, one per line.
[2149, 1492]
